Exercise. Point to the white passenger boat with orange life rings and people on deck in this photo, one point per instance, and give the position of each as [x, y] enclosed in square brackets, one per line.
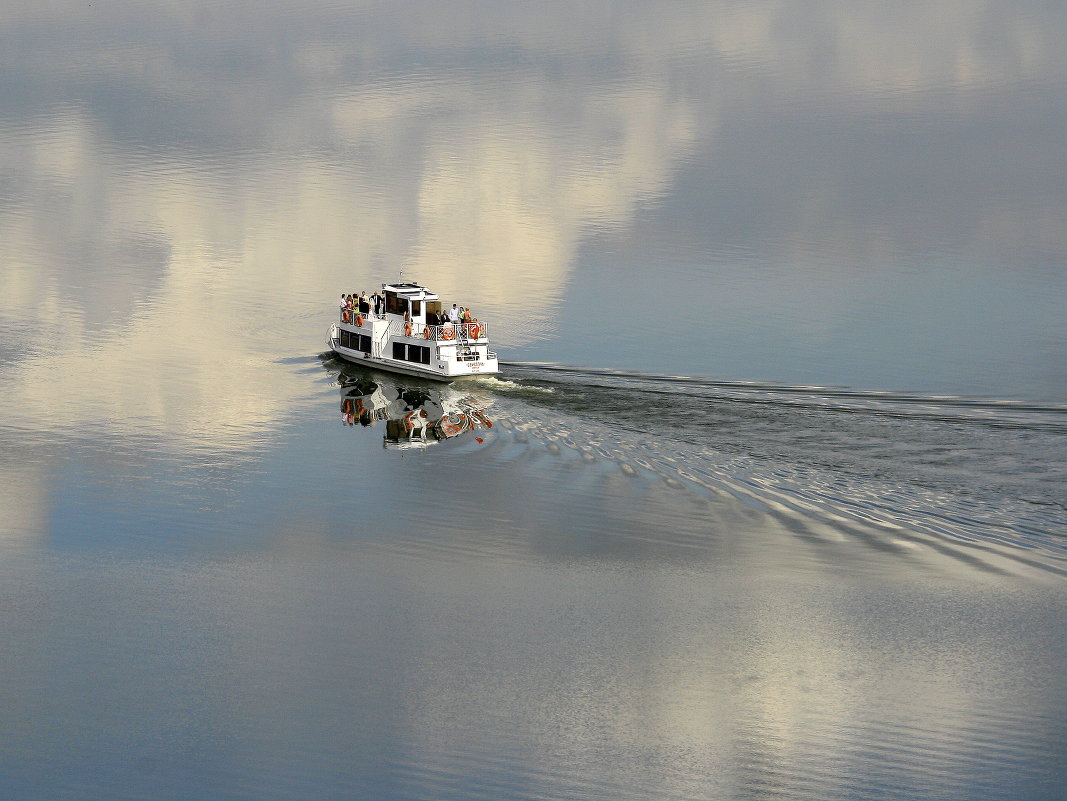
[406, 330]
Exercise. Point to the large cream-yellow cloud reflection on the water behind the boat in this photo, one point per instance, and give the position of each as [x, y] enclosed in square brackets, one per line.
[142, 253]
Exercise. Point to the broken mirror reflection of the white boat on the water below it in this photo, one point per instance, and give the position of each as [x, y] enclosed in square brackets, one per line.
[416, 414]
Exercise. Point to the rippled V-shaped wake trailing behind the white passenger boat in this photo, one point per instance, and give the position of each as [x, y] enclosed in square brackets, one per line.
[986, 473]
